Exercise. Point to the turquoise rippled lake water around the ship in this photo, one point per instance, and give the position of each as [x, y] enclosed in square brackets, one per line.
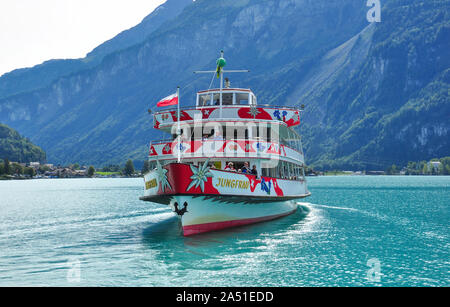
[354, 231]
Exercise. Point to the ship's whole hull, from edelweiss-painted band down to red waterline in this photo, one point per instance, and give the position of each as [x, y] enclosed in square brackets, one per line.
[220, 199]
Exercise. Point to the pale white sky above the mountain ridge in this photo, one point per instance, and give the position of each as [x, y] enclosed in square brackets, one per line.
[33, 31]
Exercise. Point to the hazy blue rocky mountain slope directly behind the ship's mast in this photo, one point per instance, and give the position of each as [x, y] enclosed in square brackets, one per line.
[99, 115]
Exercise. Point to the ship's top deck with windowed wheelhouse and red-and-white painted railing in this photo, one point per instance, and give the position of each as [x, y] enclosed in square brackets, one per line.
[235, 104]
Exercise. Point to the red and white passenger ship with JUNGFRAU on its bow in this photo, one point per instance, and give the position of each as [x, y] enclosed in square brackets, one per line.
[229, 161]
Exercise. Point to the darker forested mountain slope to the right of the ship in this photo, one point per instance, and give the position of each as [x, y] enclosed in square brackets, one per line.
[394, 107]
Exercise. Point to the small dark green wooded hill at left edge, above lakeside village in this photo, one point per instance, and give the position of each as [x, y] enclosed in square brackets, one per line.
[18, 149]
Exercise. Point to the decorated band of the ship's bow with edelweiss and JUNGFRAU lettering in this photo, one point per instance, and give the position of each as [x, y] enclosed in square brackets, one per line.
[175, 179]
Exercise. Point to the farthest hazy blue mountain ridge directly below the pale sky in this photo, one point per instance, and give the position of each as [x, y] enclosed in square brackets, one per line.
[39, 76]
